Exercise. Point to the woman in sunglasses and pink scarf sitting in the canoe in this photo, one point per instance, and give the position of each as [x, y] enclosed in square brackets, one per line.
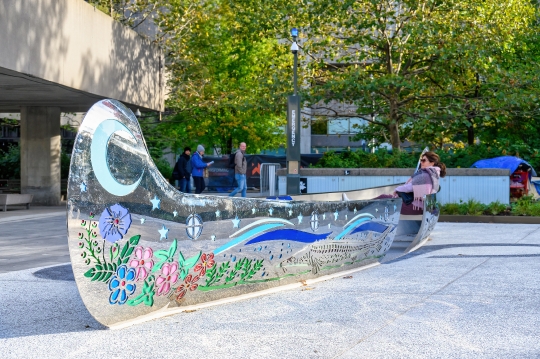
[424, 182]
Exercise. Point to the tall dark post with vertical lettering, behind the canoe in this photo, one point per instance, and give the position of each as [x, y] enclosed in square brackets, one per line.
[293, 127]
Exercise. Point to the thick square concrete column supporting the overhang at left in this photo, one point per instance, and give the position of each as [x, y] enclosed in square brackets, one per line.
[40, 154]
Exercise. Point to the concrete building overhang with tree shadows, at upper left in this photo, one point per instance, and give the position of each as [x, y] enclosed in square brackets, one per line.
[67, 54]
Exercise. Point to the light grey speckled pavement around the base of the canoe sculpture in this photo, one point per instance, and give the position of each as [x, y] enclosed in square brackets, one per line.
[472, 292]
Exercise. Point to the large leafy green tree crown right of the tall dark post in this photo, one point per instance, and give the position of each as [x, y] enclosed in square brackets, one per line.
[403, 63]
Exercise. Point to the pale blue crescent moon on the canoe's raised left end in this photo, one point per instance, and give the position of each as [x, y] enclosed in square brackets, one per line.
[98, 156]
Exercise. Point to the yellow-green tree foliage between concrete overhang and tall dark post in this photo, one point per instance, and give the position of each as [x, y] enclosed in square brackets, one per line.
[227, 80]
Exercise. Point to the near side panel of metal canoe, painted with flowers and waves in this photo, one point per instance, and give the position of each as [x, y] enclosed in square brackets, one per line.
[138, 246]
